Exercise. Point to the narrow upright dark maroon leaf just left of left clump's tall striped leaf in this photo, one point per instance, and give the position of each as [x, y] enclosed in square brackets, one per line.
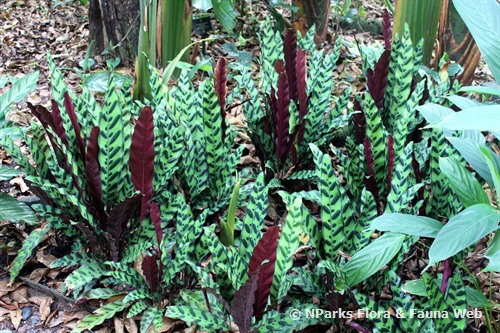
[93, 176]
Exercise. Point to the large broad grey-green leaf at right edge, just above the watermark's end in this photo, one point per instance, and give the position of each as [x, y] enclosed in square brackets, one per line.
[463, 230]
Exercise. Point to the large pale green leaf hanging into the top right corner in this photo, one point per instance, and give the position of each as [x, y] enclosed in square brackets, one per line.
[482, 20]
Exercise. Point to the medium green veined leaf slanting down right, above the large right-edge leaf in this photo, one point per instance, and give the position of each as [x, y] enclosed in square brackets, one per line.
[468, 189]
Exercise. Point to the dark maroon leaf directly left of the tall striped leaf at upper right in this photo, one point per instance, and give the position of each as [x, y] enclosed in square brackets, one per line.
[377, 80]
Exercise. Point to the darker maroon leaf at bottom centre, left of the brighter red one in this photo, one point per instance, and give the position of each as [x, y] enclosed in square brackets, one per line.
[242, 308]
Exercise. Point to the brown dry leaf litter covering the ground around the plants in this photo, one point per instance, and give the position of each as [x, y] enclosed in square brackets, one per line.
[30, 29]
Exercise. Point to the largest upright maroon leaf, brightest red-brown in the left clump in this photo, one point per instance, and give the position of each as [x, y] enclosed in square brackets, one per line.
[142, 155]
